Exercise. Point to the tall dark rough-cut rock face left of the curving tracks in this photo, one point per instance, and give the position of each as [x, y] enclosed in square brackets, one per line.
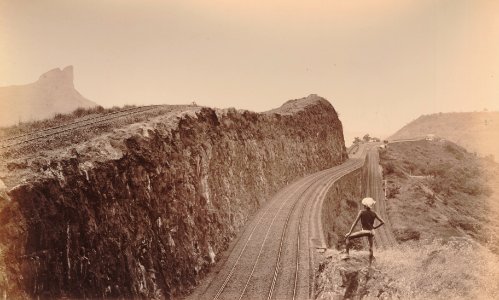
[150, 216]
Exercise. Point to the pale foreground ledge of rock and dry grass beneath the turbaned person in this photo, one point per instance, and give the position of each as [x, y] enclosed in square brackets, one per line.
[457, 269]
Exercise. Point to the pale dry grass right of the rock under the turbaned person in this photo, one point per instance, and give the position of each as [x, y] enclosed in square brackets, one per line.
[457, 269]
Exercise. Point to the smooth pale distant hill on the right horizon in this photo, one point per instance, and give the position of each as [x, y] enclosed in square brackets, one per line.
[476, 131]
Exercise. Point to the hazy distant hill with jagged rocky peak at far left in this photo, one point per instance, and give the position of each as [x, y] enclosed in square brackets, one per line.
[52, 93]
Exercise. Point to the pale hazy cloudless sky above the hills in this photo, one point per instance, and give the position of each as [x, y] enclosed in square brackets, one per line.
[381, 63]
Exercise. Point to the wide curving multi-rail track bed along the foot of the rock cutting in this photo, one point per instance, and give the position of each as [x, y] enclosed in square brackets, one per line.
[273, 257]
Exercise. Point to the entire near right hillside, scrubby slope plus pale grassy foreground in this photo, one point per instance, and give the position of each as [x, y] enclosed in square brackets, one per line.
[443, 204]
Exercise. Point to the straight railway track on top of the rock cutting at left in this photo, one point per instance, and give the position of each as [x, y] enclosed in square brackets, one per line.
[80, 124]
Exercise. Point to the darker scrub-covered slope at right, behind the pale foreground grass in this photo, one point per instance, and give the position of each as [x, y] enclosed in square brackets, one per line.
[439, 190]
